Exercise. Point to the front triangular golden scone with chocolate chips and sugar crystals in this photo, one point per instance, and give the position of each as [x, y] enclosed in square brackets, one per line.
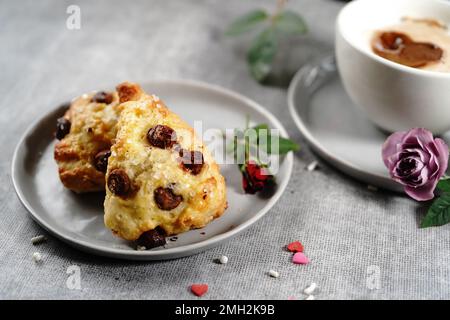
[160, 178]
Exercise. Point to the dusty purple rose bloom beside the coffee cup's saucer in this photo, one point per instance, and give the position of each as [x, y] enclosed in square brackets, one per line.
[416, 160]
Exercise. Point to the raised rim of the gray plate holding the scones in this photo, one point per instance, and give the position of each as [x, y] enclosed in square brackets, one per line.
[170, 253]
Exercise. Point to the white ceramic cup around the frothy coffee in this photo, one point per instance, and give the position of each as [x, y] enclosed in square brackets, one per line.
[395, 97]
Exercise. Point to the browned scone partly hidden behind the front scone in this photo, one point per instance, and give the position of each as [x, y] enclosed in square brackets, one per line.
[86, 133]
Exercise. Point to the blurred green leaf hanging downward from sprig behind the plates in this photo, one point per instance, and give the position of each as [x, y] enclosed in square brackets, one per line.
[261, 54]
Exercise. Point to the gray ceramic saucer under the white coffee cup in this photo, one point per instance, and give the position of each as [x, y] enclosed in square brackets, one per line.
[334, 127]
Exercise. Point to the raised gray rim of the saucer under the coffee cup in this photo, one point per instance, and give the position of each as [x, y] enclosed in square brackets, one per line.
[342, 164]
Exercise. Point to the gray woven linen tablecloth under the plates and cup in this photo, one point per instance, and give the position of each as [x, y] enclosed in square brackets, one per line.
[363, 244]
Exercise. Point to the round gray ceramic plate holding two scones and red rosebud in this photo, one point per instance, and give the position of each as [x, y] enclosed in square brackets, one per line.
[78, 219]
